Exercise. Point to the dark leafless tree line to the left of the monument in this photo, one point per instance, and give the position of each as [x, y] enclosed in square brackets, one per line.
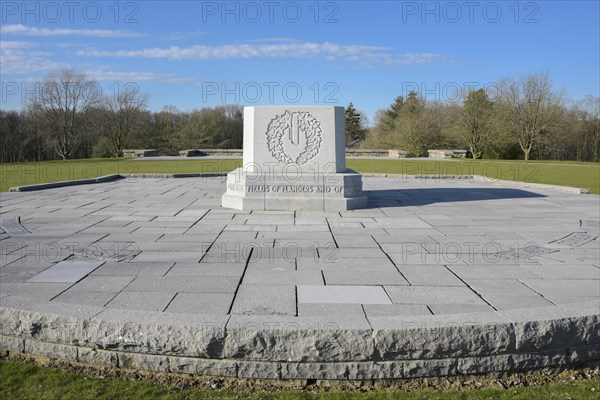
[70, 117]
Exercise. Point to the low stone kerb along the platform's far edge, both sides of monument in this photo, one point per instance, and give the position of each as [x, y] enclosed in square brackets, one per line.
[474, 178]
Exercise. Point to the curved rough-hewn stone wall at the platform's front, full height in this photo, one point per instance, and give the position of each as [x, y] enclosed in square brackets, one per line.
[305, 348]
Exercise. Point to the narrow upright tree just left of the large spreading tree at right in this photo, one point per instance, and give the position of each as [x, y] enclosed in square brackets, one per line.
[476, 121]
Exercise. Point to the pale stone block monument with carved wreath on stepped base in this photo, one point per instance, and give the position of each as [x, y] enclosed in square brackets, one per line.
[294, 159]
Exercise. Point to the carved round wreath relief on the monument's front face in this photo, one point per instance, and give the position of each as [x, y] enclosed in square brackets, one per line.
[294, 127]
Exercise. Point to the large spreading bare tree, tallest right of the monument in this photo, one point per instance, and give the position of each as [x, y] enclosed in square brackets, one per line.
[529, 108]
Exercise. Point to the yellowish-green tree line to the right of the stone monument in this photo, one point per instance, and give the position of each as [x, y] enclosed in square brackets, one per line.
[522, 118]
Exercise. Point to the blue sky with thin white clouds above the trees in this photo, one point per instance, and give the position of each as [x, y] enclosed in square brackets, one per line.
[205, 53]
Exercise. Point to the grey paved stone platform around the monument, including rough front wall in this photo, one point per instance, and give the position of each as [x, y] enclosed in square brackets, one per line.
[433, 278]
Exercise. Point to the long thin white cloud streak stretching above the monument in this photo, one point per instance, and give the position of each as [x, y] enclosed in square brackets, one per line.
[363, 55]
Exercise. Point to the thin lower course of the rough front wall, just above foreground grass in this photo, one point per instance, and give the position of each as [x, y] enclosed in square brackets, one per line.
[359, 370]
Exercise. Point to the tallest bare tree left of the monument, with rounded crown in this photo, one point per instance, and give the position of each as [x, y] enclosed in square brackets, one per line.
[61, 102]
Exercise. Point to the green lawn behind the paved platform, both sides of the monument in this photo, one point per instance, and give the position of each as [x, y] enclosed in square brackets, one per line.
[585, 175]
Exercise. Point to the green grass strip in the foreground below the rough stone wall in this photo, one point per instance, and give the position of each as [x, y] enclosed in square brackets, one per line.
[19, 380]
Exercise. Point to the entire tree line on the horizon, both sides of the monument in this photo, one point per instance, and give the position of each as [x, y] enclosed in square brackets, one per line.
[522, 118]
